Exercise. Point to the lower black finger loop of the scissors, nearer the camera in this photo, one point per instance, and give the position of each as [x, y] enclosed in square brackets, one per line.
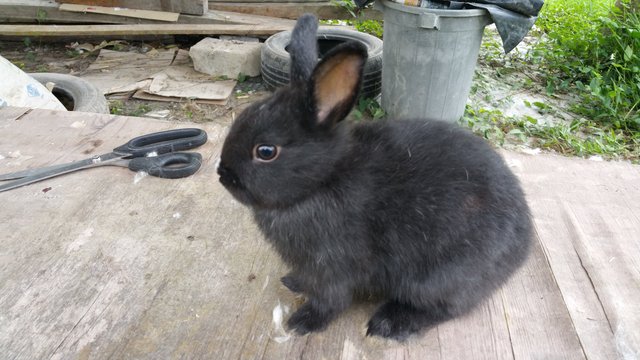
[168, 166]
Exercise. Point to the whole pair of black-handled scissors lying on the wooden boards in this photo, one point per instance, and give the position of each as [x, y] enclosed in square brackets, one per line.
[155, 153]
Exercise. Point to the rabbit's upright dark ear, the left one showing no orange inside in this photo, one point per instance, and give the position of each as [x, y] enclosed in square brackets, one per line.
[303, 49]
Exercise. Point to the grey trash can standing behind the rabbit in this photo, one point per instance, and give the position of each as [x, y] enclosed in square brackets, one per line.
[429, 57]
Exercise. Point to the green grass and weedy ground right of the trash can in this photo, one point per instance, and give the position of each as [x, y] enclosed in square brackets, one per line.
[585, 57]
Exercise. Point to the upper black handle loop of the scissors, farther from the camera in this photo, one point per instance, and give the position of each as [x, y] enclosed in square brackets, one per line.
[163, 142]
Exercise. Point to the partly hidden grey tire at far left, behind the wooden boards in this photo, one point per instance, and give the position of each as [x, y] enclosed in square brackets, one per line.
[86, 97]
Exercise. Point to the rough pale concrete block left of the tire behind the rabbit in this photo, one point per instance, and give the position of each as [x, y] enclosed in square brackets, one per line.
[226, 57]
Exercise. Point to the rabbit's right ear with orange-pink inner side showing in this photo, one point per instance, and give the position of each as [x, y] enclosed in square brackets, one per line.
[336, 82]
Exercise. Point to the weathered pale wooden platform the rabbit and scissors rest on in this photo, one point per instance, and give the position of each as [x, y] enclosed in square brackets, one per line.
[100, 264]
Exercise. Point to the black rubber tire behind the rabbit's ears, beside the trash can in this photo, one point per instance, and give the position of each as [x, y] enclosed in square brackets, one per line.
[275, 60]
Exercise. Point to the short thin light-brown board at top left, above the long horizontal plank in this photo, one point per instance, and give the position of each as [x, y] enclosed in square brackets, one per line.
[193, 7]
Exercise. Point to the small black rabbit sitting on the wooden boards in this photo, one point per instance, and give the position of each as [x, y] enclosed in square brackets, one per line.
[422, 213]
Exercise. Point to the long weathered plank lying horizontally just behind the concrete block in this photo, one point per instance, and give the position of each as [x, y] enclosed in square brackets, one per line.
[141, 29]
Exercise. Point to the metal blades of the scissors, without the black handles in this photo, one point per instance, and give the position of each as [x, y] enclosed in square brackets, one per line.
[56, 170]
